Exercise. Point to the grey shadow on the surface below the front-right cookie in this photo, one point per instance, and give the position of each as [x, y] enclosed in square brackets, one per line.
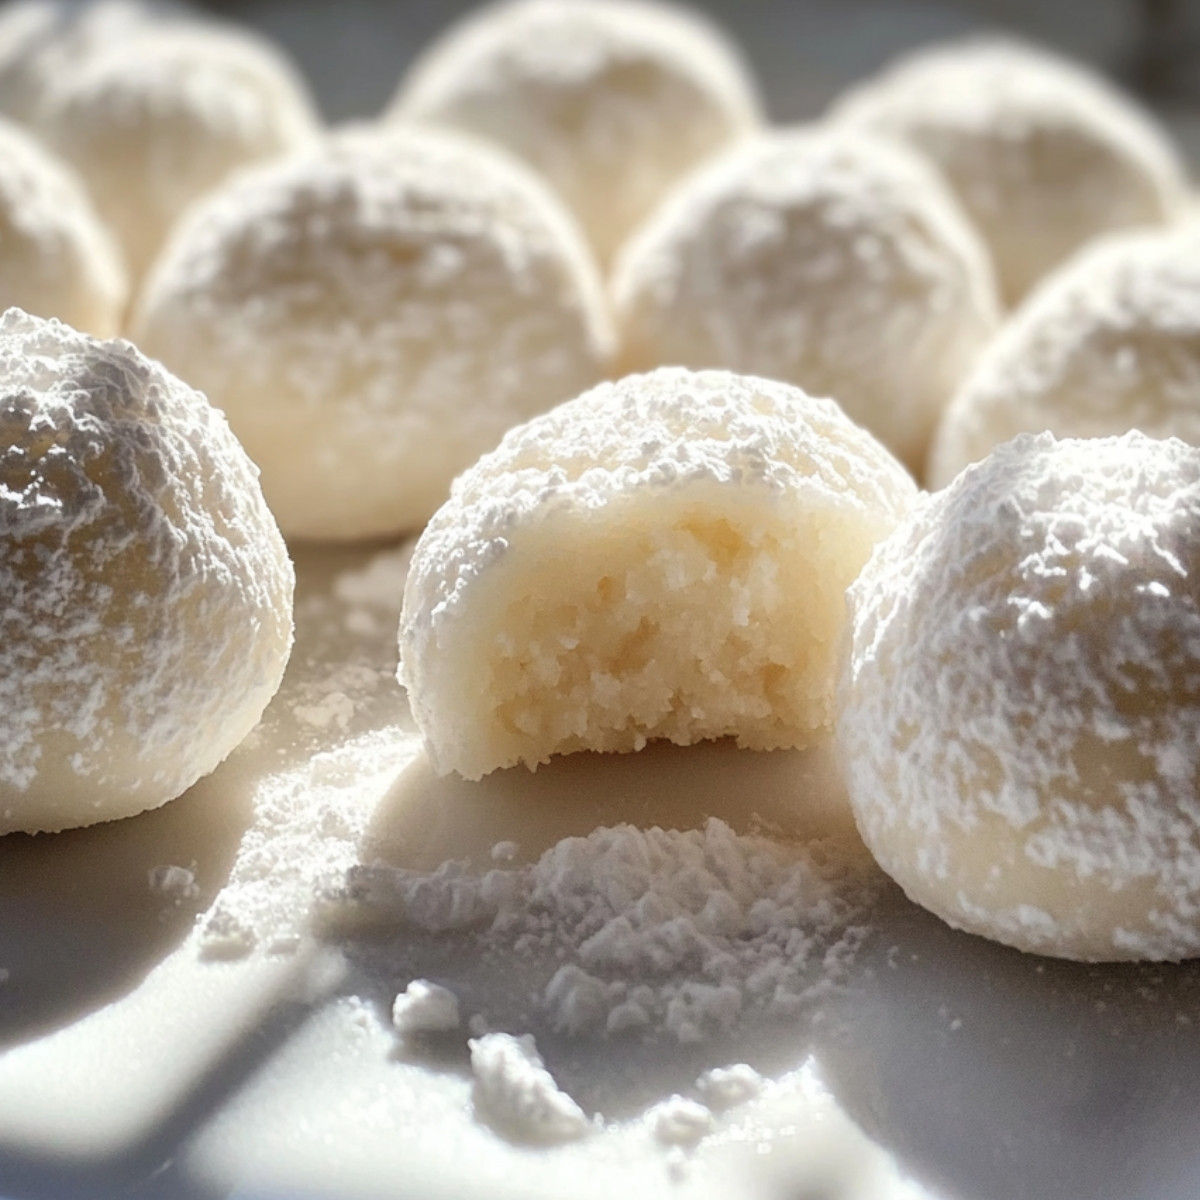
[997, 1075]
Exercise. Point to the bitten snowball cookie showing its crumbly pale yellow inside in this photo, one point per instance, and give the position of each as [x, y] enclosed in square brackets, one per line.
[664, 557]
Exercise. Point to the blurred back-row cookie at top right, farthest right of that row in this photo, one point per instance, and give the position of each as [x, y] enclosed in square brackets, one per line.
[1043, 154]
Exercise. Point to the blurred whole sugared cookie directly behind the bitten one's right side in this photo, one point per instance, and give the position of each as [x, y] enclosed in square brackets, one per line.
[836, 261]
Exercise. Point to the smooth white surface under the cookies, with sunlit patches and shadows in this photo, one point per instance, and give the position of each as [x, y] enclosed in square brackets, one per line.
[131, 1060]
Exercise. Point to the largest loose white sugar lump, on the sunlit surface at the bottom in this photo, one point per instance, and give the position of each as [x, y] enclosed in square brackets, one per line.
[514, 1088]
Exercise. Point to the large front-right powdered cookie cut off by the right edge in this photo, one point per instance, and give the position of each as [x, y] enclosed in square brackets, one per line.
[1018, 711]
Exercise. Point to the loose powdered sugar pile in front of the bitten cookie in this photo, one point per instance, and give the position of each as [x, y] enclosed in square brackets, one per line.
[685, 932]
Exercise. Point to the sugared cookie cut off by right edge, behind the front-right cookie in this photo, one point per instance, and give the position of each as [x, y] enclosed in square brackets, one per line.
[1108, 344]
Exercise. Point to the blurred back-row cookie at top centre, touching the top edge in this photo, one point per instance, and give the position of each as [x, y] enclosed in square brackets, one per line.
[613, 100]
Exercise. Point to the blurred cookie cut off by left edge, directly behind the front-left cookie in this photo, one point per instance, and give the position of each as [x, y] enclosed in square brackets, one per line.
[57, 260]
